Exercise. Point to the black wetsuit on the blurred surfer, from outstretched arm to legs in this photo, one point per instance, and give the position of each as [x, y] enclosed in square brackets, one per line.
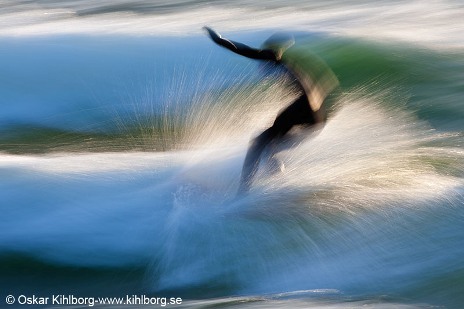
[297, 113]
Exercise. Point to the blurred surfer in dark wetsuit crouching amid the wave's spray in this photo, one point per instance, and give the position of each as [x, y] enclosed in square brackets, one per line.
[306, 110]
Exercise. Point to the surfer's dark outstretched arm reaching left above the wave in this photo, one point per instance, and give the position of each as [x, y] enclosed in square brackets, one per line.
[241, 49]
